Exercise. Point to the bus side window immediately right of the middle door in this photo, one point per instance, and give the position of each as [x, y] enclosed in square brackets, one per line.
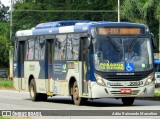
[60, 47]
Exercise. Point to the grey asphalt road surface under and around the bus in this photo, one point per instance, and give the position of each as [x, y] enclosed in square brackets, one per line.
[14, 100]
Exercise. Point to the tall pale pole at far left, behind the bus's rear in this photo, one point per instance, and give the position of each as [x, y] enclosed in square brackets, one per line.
[10, 52]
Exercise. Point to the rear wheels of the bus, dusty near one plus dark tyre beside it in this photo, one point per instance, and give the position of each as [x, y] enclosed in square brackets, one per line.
[33, 93]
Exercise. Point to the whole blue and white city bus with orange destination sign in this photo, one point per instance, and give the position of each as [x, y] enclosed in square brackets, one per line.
[85, 60]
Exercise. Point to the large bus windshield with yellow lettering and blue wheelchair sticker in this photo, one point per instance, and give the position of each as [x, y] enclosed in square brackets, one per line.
[122, 54]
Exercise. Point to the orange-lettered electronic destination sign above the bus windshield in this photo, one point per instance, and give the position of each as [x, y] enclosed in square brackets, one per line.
[119, 31]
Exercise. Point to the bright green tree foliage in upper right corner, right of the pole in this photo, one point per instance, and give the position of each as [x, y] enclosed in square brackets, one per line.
[143, 11]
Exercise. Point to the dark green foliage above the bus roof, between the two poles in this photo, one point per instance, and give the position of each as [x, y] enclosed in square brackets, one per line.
[25, 15]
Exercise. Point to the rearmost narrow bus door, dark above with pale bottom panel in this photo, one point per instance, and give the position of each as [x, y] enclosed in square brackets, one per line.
[21, 56]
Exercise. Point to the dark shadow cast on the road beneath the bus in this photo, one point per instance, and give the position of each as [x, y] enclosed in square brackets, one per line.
[106, 102]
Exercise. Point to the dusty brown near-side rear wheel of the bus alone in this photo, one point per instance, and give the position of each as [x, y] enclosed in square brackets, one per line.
[33, 91]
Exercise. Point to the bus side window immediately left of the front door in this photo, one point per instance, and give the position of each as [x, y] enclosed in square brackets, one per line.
[73, 47]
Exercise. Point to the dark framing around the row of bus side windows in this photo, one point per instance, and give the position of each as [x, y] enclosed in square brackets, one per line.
[82, 36]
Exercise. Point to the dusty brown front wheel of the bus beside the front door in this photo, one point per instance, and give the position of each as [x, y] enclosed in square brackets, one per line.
[76, 99]
